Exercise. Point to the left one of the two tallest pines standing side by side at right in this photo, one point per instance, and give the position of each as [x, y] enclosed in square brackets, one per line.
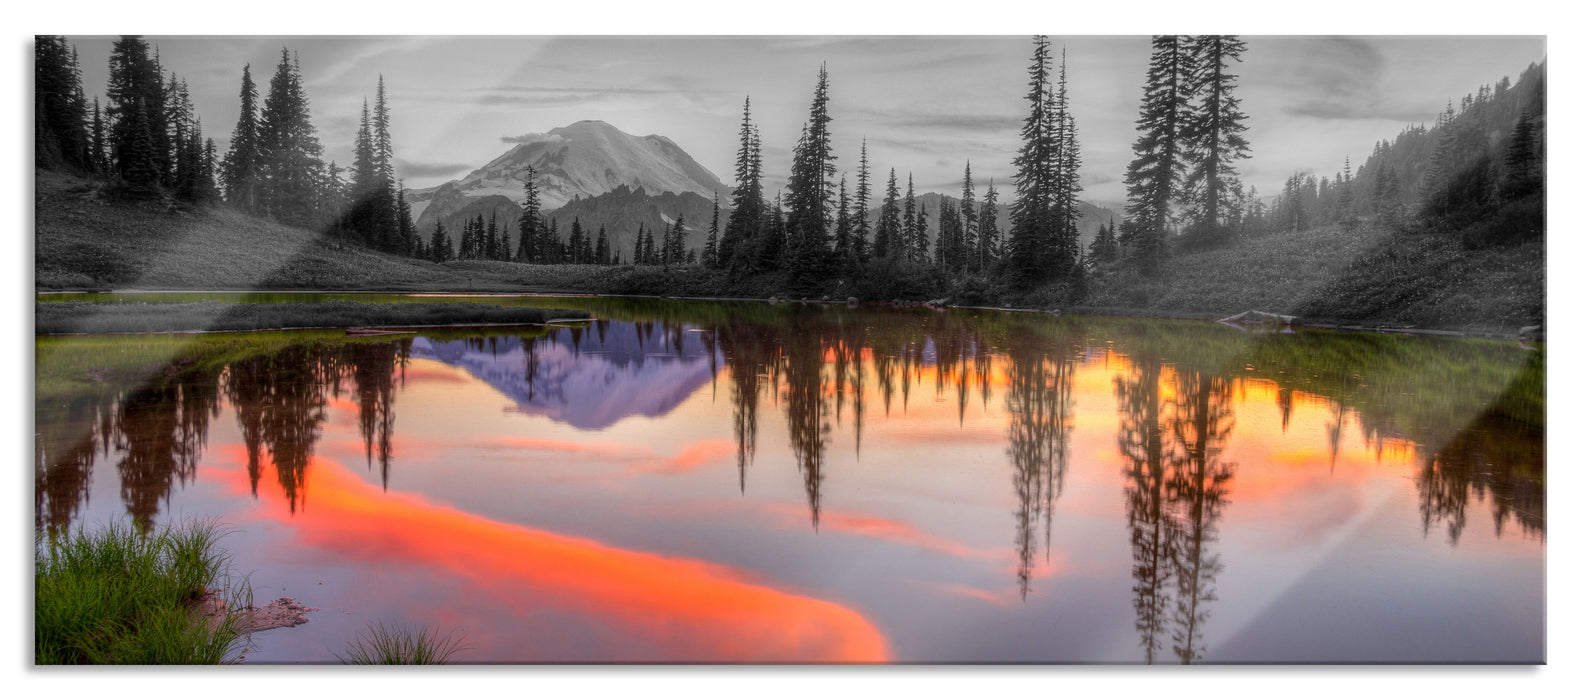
[1154, 178]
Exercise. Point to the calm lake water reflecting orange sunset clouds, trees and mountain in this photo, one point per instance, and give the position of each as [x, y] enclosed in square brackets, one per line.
[754, 484]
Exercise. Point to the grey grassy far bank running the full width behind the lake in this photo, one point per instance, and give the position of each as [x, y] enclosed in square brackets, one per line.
[1333, 275]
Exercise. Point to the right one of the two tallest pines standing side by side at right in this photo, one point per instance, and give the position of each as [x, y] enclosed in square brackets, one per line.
[1214, 134]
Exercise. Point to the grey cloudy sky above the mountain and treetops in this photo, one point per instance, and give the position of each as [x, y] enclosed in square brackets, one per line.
[926, 105]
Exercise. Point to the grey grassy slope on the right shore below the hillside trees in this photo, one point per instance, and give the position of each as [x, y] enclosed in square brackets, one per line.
[1331, 275]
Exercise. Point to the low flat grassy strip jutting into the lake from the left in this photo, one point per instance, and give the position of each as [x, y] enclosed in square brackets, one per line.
[214, 316]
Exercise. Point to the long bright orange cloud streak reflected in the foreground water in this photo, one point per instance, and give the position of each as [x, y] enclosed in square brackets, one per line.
[683, 609]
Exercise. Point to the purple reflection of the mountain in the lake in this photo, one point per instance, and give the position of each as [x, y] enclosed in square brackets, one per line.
[583, 378]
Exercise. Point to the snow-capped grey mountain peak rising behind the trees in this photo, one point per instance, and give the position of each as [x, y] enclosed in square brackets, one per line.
[581, 161]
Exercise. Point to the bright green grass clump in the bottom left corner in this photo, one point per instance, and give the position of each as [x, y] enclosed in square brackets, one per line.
[127, 598]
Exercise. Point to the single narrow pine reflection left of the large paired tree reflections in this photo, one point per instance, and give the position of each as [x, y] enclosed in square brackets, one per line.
[1040, 405]
